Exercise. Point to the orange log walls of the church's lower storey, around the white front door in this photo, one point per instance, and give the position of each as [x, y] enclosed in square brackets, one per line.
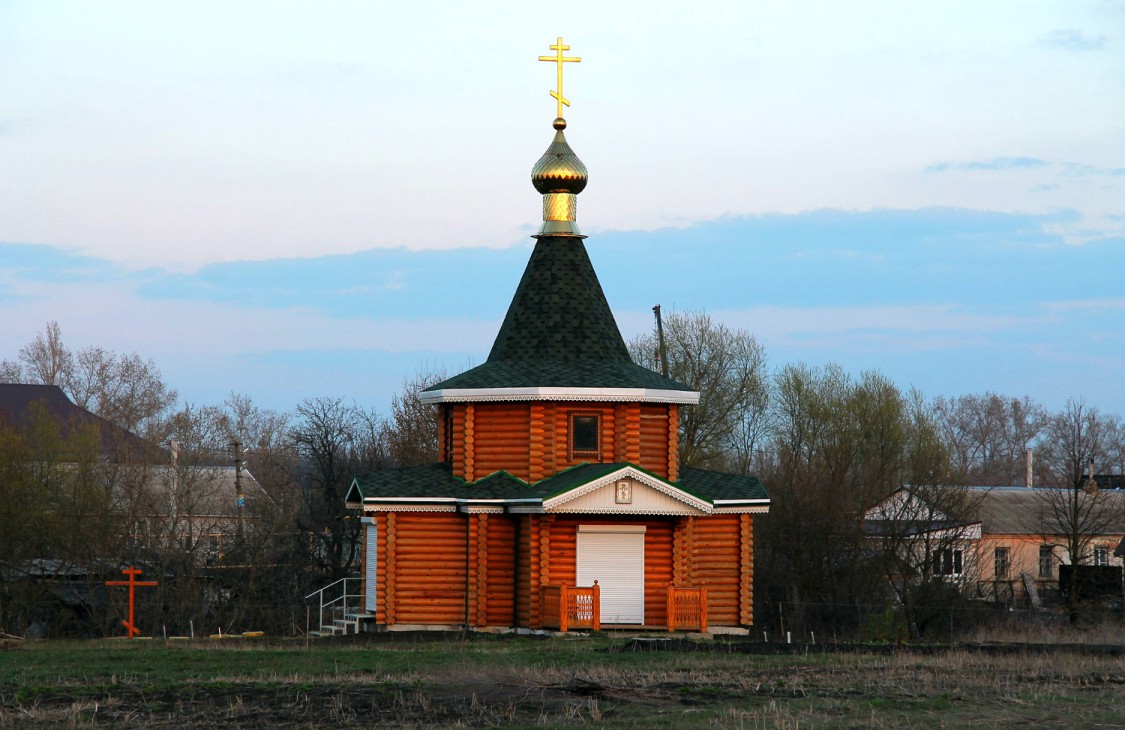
[422, 579]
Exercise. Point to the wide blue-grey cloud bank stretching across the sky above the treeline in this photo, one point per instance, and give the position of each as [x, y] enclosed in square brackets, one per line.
[950, 300]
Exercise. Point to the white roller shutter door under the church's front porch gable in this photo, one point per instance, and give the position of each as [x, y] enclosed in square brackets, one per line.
[615, 556]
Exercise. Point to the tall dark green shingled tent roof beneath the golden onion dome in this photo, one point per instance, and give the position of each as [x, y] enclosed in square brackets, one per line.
[560, 331]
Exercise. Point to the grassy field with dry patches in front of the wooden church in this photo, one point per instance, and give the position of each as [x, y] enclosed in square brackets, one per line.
[406, 682]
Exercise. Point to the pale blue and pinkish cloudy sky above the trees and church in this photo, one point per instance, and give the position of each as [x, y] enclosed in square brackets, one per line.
[293, 201]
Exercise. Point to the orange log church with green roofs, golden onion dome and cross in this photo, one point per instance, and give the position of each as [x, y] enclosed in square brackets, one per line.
[559, 501]
